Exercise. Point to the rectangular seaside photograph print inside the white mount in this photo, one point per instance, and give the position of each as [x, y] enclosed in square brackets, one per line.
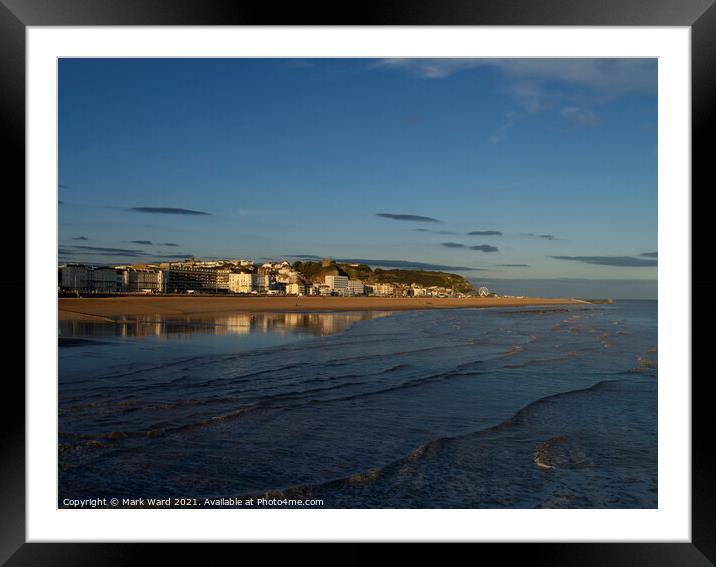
[357, 283]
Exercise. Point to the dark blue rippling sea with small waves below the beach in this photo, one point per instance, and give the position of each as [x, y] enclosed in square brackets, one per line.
[533, 407]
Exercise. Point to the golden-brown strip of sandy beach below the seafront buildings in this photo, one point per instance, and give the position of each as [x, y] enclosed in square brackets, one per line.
[102, 309]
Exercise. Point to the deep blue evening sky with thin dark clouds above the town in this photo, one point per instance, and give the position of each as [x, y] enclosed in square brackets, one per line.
[379, 159]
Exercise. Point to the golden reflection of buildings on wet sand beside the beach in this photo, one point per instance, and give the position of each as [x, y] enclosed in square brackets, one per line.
[318, 324]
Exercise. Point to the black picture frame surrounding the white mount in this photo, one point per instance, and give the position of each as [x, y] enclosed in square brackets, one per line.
[16, 15]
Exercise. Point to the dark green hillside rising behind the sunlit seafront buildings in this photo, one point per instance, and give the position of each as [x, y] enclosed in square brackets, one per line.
[314, 272]
